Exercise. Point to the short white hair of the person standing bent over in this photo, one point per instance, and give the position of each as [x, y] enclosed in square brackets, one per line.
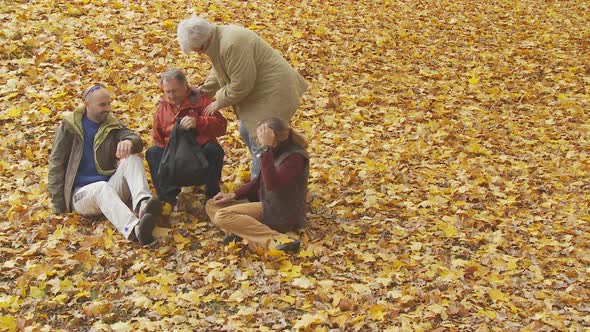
[193, 33]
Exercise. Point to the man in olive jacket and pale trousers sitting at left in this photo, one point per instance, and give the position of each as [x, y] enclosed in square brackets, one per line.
[94, 169]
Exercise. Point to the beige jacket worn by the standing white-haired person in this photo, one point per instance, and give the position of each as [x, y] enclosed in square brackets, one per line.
[251, 76]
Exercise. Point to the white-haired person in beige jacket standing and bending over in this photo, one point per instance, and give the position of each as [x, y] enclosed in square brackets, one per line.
[247, 73]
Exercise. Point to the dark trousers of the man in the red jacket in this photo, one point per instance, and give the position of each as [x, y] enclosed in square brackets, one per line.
[167, 192]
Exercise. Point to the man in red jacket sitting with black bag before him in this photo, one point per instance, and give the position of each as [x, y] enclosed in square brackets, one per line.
[182, 103]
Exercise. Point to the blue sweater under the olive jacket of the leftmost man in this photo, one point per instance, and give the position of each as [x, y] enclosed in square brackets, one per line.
[87, 172]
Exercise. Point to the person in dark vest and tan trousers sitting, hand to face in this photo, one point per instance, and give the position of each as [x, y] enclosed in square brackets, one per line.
[277, 194]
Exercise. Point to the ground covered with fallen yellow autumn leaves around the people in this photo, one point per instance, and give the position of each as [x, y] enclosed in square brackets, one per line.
[449, 187]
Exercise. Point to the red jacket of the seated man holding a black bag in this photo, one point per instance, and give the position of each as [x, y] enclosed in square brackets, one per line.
[209, 127]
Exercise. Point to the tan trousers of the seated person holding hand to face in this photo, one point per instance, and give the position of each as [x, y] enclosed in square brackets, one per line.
[243, 220]
